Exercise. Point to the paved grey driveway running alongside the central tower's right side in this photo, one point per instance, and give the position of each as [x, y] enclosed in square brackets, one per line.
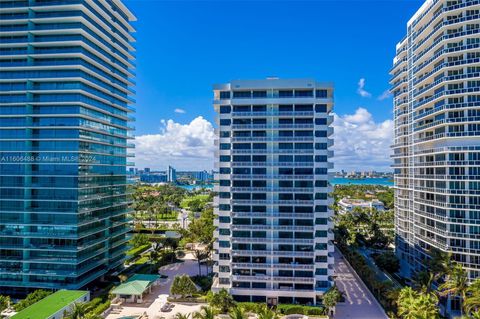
[359, 301]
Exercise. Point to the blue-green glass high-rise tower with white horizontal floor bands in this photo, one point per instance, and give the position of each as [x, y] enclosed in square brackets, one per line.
[65, 78]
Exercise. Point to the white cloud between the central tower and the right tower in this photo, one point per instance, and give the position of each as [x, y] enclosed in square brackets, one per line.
[361, 143]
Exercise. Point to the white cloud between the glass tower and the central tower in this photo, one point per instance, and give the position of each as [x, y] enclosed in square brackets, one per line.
[184, 146]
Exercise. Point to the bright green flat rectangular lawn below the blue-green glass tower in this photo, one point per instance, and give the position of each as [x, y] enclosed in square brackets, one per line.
[50, 304]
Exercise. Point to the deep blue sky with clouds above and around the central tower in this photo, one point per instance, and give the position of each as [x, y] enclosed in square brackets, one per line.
[185, 47]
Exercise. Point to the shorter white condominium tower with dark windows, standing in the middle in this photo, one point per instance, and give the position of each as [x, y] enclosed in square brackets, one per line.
[273, 237]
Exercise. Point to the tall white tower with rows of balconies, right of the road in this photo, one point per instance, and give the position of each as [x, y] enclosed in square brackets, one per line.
[436, 87]
